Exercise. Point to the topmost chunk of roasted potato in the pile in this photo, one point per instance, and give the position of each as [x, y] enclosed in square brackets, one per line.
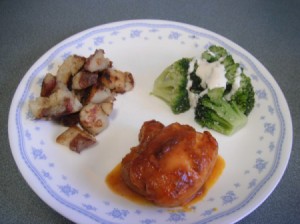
[97, 62]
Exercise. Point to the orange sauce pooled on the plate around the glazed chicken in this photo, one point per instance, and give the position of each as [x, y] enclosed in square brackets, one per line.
[116, 184]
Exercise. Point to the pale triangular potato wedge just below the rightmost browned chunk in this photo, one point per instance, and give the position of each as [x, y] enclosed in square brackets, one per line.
[98, 94]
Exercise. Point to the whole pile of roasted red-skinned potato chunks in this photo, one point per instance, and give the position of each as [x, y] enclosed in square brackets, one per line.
[81, 96]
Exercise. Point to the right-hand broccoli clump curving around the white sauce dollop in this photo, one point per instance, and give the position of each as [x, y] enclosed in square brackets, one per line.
[226, 110]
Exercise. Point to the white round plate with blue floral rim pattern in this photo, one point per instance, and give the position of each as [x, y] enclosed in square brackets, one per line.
[74, 184]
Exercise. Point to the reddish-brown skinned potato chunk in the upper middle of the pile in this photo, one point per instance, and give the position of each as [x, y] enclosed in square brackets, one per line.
[84, 79]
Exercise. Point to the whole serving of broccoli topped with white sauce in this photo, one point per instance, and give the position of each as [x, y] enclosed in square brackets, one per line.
[221, 94]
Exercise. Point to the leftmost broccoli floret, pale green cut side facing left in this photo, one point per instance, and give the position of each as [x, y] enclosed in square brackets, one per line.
[170, 86]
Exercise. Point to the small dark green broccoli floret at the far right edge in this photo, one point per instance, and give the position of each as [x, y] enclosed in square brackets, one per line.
[244, 95]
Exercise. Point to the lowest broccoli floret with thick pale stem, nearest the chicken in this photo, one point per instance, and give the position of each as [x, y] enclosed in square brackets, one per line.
[214, 112]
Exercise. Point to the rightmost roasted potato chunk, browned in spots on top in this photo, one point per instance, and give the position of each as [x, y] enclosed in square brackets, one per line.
[117, 81]
